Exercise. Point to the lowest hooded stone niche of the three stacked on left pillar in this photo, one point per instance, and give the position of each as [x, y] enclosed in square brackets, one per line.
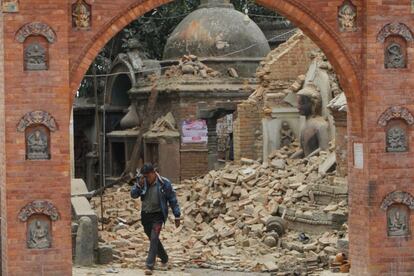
[38, 216]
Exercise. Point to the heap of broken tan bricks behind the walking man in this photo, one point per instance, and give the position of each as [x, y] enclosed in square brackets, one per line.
[225, 214]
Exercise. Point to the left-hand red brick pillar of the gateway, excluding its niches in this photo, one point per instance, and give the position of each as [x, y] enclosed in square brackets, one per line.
[24, 181]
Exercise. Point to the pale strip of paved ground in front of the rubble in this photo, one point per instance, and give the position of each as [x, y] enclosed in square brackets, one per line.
[98, 271]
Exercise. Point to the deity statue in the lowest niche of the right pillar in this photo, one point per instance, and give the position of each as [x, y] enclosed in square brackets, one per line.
[397, 217]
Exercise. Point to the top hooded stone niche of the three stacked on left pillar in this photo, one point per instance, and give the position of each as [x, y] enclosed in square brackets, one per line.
[36, 37]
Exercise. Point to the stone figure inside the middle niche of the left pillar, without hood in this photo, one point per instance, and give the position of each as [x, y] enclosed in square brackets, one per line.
[37, 145]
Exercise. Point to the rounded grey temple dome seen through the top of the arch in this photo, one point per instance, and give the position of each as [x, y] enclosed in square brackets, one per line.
[216, 29]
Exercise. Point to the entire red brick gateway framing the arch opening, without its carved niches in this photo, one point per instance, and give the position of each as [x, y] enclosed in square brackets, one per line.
[358, 58]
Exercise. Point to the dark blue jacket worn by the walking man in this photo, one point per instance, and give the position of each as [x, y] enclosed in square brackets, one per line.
[166, 195]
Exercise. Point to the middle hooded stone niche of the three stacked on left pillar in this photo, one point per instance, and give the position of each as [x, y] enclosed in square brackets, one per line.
[37, 126]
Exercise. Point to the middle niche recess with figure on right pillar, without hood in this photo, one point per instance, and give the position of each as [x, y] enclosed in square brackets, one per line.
[397, 136]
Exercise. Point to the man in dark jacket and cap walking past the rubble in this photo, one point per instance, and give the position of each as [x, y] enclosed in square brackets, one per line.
[157, 194]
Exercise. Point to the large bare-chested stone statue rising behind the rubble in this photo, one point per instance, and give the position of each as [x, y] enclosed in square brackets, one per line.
[315, 133]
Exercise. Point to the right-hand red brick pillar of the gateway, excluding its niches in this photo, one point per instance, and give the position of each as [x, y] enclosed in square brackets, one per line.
[384, 172]
